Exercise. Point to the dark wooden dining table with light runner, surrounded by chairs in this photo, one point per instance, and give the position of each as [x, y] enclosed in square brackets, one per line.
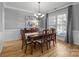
[36, 36]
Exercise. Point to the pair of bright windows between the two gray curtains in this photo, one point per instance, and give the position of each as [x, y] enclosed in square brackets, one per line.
[59, 22]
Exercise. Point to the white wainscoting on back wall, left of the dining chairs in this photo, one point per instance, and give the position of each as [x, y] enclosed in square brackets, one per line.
[12, 35]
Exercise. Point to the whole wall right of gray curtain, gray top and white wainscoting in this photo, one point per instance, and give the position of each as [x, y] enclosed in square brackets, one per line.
[76, 24]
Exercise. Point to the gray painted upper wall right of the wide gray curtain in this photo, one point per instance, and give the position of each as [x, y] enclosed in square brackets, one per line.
[76, 17]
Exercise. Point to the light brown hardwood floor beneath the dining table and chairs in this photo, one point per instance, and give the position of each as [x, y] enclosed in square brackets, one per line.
[13, 49]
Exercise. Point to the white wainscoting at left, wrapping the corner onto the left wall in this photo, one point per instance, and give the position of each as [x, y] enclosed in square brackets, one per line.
[9, 35]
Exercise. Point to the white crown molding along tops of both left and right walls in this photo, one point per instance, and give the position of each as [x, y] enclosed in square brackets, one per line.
[23, 10]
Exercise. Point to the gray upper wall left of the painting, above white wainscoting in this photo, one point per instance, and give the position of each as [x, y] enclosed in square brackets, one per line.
[14, 19]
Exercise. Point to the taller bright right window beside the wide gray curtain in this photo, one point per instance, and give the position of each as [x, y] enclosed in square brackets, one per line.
[61, 24]
